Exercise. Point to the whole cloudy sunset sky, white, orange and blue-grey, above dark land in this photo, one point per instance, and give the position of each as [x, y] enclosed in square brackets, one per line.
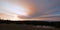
[38, 9]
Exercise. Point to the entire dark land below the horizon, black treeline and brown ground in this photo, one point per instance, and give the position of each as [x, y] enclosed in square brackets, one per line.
[29, 25]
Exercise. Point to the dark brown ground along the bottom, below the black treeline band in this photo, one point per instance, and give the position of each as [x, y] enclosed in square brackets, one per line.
[24, 27]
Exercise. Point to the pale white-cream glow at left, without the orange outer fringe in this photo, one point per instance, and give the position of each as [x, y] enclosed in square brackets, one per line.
[13, 10]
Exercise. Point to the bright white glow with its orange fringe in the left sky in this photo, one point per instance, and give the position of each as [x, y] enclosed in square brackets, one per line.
[11, 11]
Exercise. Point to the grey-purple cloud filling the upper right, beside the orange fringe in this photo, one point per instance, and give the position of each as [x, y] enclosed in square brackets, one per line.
[46, 7]
